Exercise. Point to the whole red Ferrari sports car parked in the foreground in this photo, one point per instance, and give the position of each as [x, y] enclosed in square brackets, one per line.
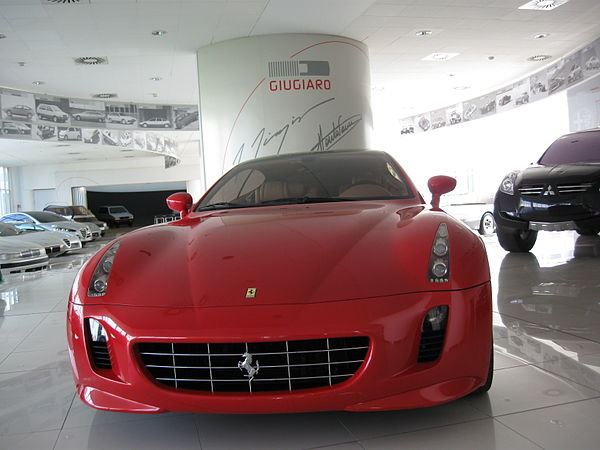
[304, 282]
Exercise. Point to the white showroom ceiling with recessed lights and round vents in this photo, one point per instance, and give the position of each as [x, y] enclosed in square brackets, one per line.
[46, 37]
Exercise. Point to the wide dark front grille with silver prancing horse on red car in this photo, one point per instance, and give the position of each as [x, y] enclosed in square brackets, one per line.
[282, 365]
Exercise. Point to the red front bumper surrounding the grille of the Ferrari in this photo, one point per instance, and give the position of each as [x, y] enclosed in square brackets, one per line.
[390, 377]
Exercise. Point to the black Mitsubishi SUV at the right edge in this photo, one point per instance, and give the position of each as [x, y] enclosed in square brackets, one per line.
[560, 192]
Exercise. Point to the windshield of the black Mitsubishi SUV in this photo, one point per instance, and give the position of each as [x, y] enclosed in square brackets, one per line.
[573, 148]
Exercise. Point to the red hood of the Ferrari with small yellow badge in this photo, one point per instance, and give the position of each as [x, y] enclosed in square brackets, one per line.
[289, 255]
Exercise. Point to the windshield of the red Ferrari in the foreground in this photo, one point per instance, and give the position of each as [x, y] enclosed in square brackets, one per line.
[309, 178]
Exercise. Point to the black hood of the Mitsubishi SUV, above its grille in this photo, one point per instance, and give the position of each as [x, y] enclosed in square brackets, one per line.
[560, 173]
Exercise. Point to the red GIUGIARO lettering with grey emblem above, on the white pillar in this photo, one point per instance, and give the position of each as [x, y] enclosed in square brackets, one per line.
[299, 76]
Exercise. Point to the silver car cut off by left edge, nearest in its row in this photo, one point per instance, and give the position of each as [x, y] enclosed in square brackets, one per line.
[17, 257]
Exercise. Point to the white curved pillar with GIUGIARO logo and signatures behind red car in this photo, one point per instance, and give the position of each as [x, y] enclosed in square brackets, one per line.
[285, 93]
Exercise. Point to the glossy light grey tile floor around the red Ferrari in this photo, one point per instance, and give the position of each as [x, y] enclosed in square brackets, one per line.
[546, 391]
